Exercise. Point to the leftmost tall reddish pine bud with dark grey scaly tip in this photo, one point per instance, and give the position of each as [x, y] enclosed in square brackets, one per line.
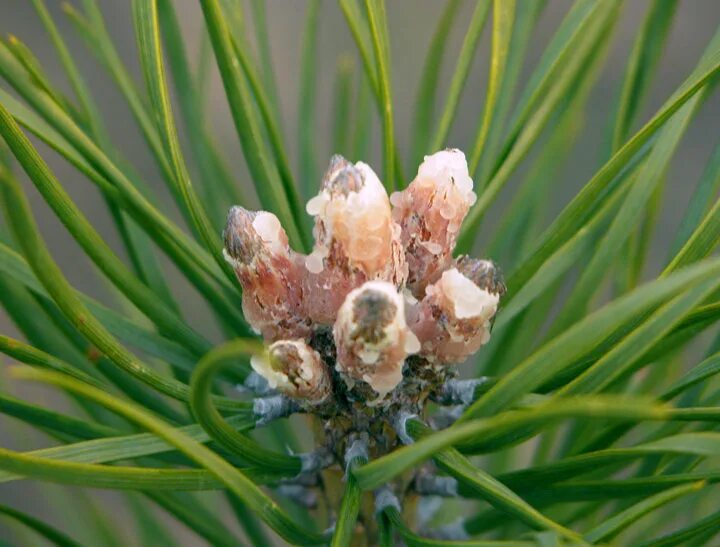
[270, 273]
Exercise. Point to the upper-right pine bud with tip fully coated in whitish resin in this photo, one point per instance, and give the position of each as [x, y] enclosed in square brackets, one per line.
[430, 212]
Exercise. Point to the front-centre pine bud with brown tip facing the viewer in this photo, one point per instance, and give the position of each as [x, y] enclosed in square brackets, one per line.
[372, 338]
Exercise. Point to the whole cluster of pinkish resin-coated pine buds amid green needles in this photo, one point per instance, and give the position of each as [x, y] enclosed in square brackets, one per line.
[379, 286]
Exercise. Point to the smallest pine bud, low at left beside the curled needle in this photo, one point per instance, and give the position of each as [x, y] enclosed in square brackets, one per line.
[296, 370]
